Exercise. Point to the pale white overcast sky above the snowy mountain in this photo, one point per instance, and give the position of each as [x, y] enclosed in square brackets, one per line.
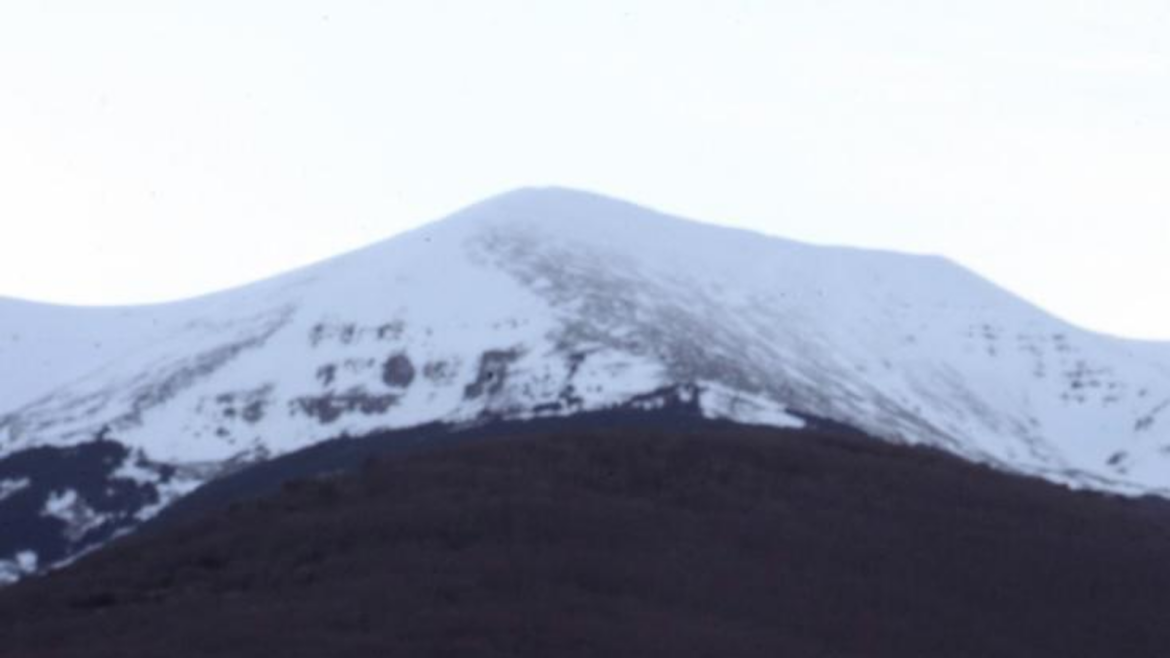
[156, 150]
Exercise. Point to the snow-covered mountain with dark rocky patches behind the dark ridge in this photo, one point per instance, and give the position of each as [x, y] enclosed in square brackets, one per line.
[548, 303]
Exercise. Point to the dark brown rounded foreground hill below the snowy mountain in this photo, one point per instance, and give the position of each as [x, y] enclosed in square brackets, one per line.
[711, 540]
